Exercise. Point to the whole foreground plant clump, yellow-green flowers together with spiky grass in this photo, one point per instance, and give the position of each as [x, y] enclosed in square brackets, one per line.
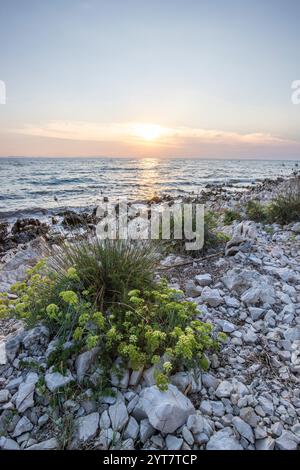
[102, 295]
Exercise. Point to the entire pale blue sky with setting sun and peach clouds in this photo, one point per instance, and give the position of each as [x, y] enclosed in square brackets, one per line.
[171, 78]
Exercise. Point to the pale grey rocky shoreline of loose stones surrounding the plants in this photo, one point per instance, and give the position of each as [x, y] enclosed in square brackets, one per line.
[249, 398]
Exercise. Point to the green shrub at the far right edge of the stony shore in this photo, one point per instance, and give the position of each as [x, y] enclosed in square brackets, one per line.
[285, 208]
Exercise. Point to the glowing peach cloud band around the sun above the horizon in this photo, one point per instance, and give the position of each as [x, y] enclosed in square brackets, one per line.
[131, 139]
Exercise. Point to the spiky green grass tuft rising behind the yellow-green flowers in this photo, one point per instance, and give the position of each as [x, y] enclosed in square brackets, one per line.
[107, 269]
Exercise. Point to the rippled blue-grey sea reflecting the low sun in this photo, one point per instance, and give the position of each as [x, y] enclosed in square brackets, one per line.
[28, 183]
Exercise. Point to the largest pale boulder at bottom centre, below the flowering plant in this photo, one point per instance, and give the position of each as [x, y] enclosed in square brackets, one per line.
[166, 410]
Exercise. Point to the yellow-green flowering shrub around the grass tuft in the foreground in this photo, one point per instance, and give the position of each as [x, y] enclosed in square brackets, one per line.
[146, 326]
